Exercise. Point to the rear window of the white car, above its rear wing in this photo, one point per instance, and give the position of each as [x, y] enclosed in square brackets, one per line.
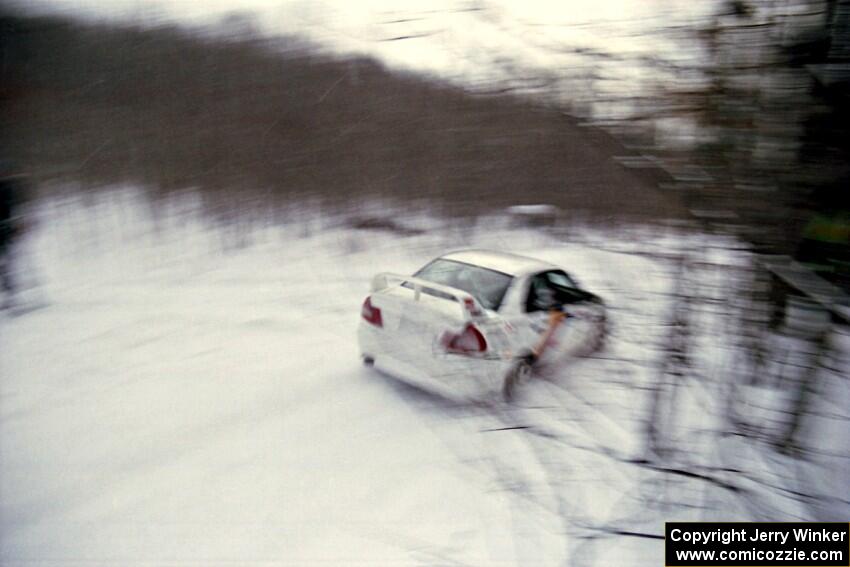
[487, 286]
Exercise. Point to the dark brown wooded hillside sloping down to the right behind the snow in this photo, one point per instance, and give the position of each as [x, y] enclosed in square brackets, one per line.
[173, 108]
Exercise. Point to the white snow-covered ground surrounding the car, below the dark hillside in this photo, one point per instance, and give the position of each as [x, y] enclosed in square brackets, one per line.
[191, 394]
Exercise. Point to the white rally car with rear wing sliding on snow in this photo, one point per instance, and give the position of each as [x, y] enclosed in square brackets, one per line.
[460, 323]
